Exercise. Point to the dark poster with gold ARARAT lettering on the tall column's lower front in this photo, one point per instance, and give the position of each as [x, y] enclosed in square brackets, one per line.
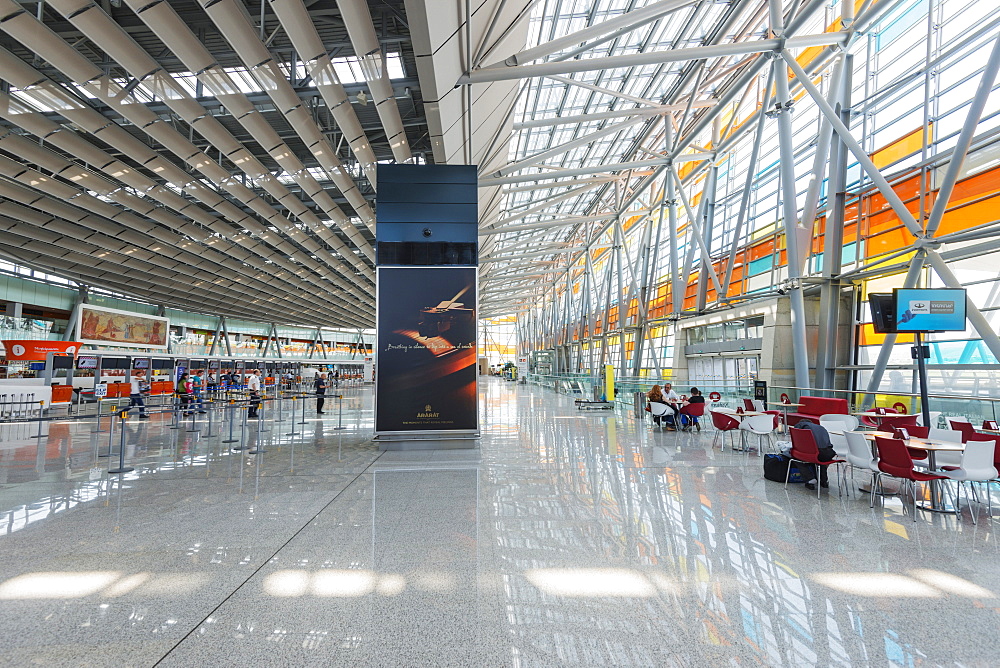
[426, 375]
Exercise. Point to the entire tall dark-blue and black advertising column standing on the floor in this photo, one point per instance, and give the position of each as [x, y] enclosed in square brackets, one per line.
[426, 388]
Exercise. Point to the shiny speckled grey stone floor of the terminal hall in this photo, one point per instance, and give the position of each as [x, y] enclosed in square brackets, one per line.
[567, 539]
